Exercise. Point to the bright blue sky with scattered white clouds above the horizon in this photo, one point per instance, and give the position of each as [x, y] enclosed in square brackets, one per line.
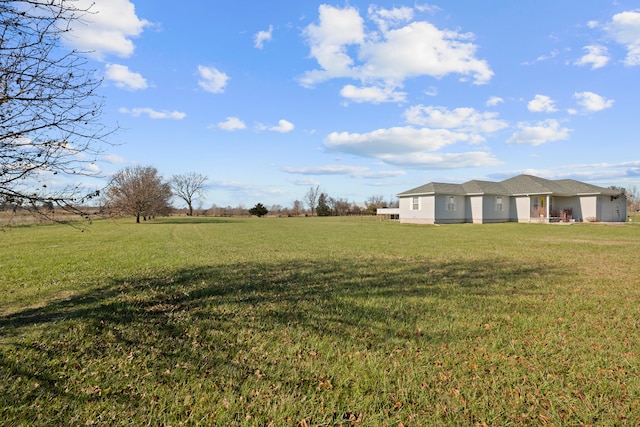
[367, 98]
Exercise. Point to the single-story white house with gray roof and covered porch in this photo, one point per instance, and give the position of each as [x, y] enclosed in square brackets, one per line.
[523, 198]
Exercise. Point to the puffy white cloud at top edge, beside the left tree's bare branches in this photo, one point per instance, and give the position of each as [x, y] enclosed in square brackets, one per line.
[108, 30]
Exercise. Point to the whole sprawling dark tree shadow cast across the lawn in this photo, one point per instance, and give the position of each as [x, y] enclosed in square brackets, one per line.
[133, 330]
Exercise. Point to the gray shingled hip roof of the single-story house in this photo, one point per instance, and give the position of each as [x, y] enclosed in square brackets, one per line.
[521, 184]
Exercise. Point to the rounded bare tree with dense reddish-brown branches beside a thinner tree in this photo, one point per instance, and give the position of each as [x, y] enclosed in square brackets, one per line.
[138, 191]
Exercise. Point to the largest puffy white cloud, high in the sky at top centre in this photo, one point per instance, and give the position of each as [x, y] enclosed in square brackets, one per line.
[385, 58]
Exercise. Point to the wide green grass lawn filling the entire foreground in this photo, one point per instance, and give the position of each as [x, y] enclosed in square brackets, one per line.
[312, 321]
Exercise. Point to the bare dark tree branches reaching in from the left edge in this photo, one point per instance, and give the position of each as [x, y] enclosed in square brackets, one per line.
[49, 110]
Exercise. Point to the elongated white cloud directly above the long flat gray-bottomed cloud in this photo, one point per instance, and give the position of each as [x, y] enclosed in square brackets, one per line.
[461, 119]
